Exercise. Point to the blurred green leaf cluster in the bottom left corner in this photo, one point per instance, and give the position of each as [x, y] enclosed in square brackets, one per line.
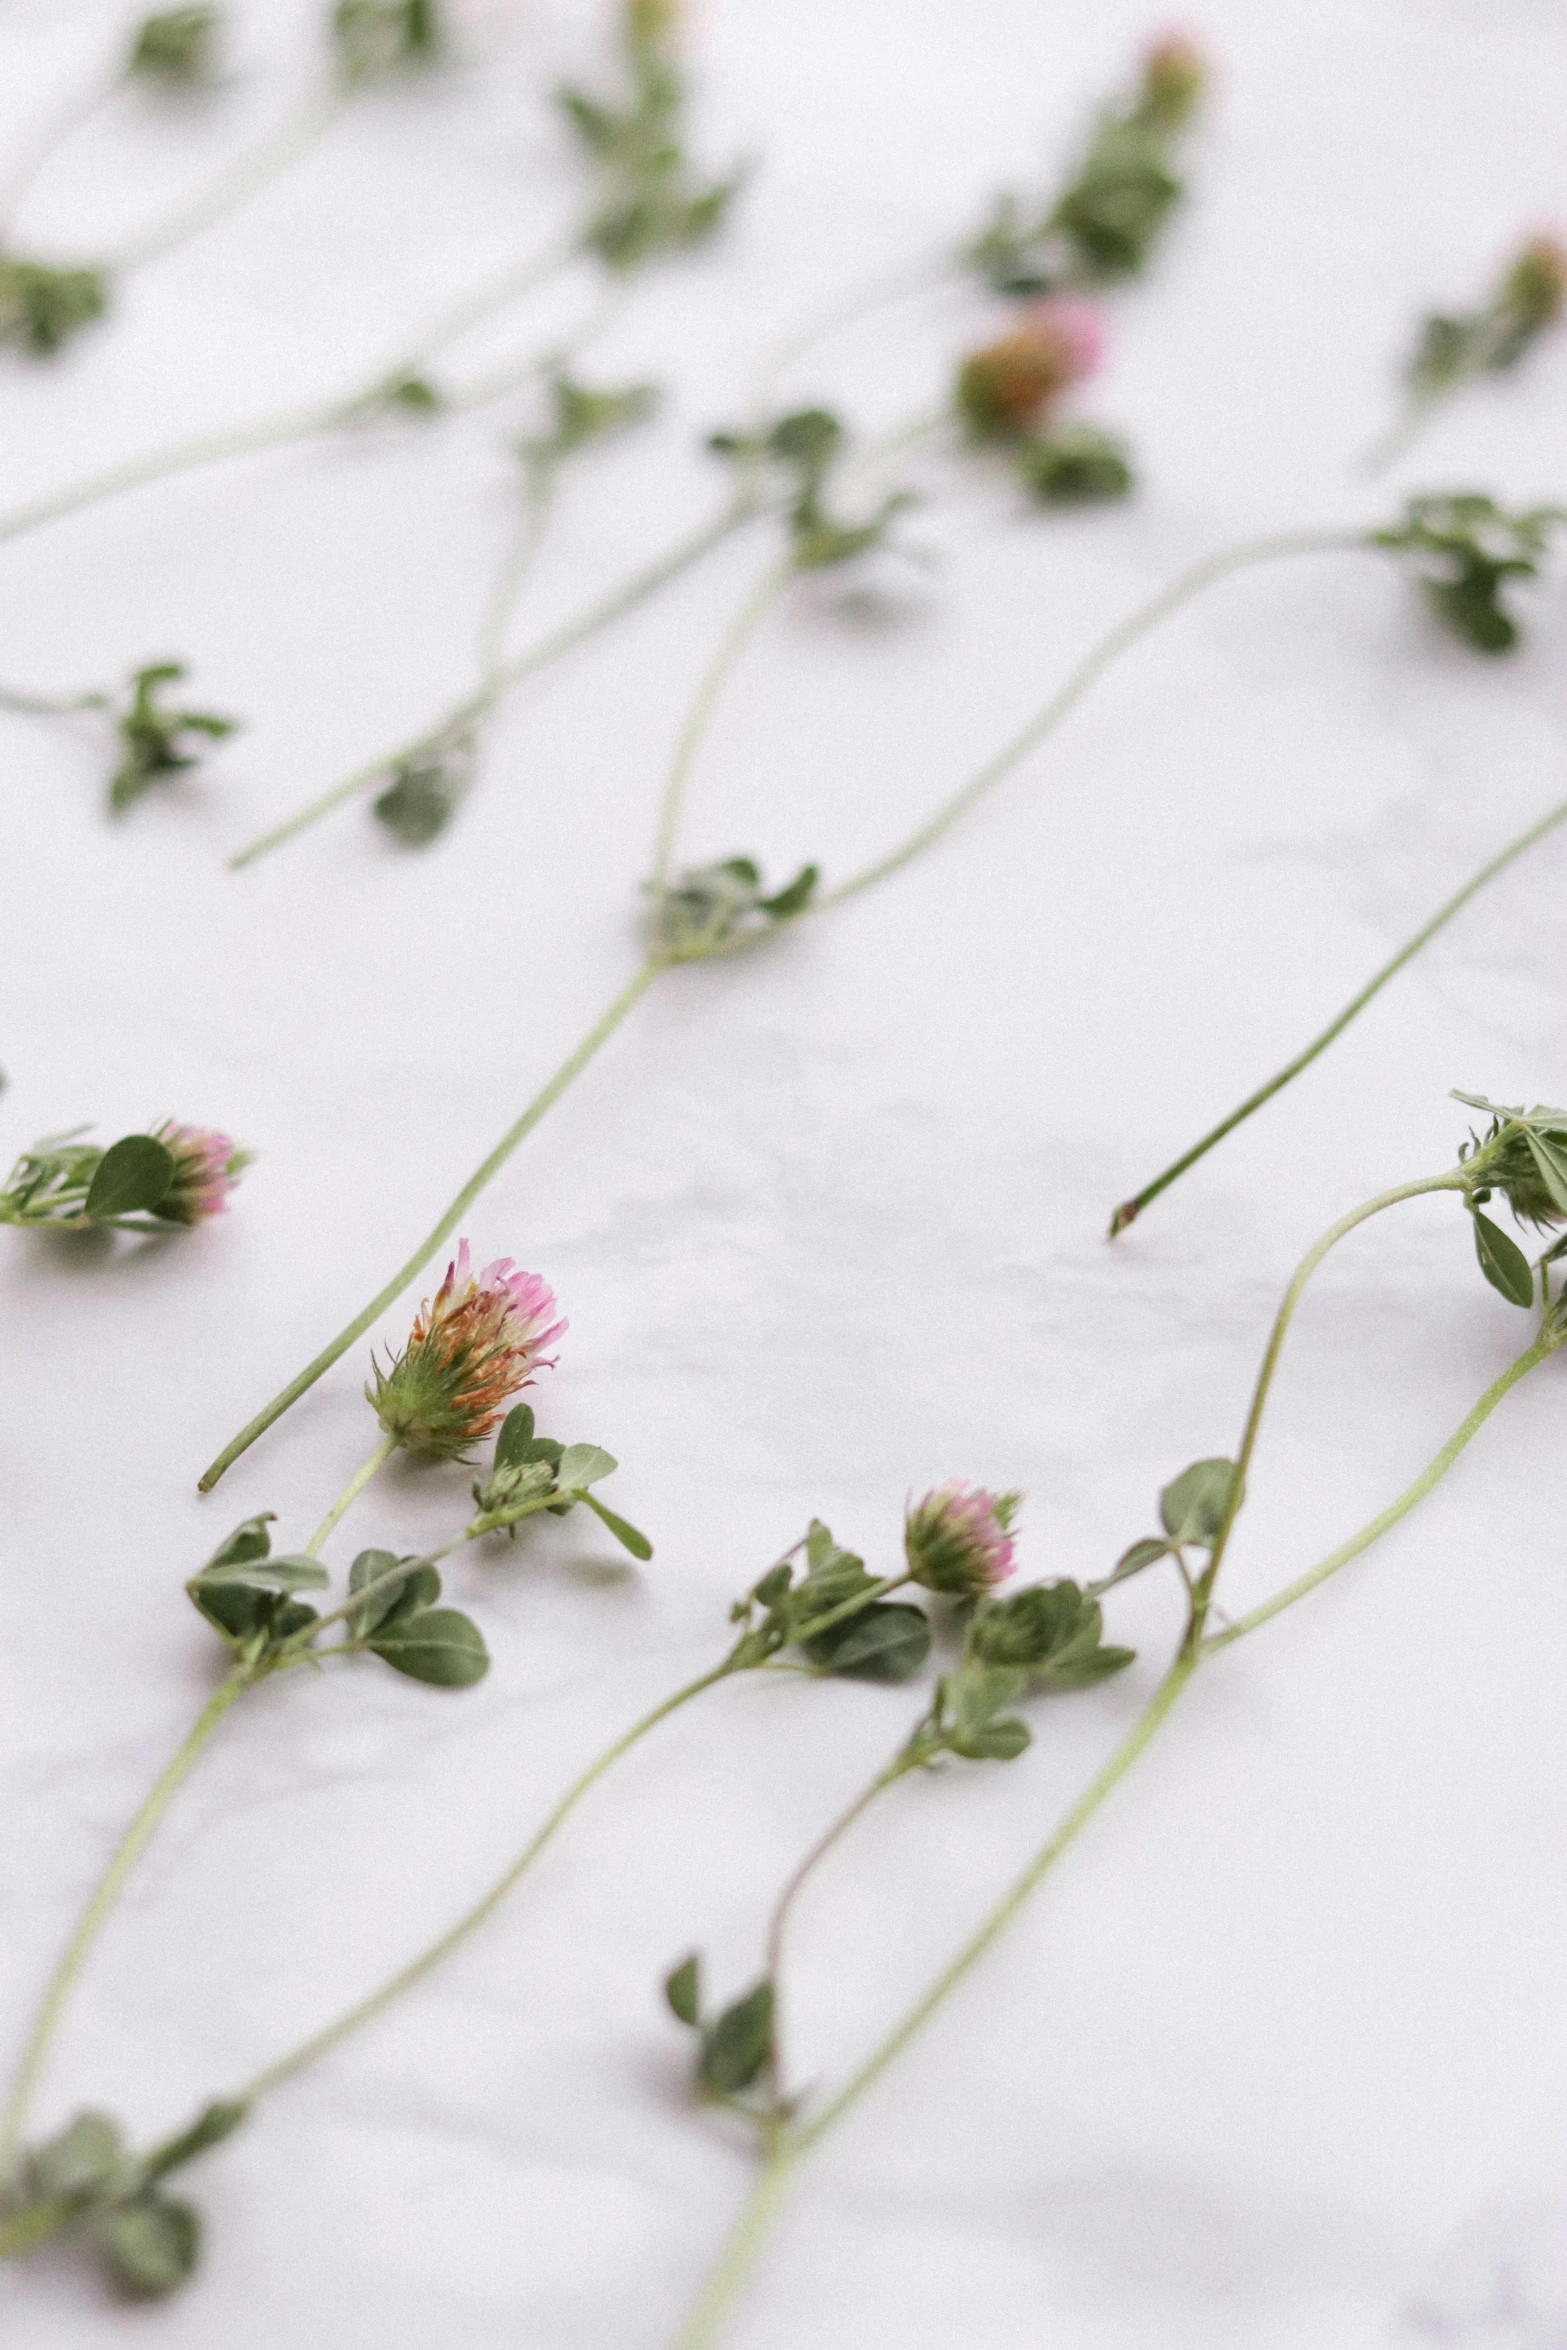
[88, 2182]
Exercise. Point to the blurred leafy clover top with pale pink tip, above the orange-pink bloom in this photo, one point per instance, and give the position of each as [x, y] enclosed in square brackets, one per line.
[1105, 222]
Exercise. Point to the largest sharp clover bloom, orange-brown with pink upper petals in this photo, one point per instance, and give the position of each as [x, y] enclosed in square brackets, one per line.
[471, 1348]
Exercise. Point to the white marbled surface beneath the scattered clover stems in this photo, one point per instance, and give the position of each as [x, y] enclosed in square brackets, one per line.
[828, 1226]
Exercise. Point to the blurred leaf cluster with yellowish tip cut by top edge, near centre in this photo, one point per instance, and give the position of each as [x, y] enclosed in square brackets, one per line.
[650, 196]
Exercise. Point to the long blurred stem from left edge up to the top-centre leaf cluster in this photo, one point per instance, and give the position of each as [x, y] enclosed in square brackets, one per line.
[307, 422]
